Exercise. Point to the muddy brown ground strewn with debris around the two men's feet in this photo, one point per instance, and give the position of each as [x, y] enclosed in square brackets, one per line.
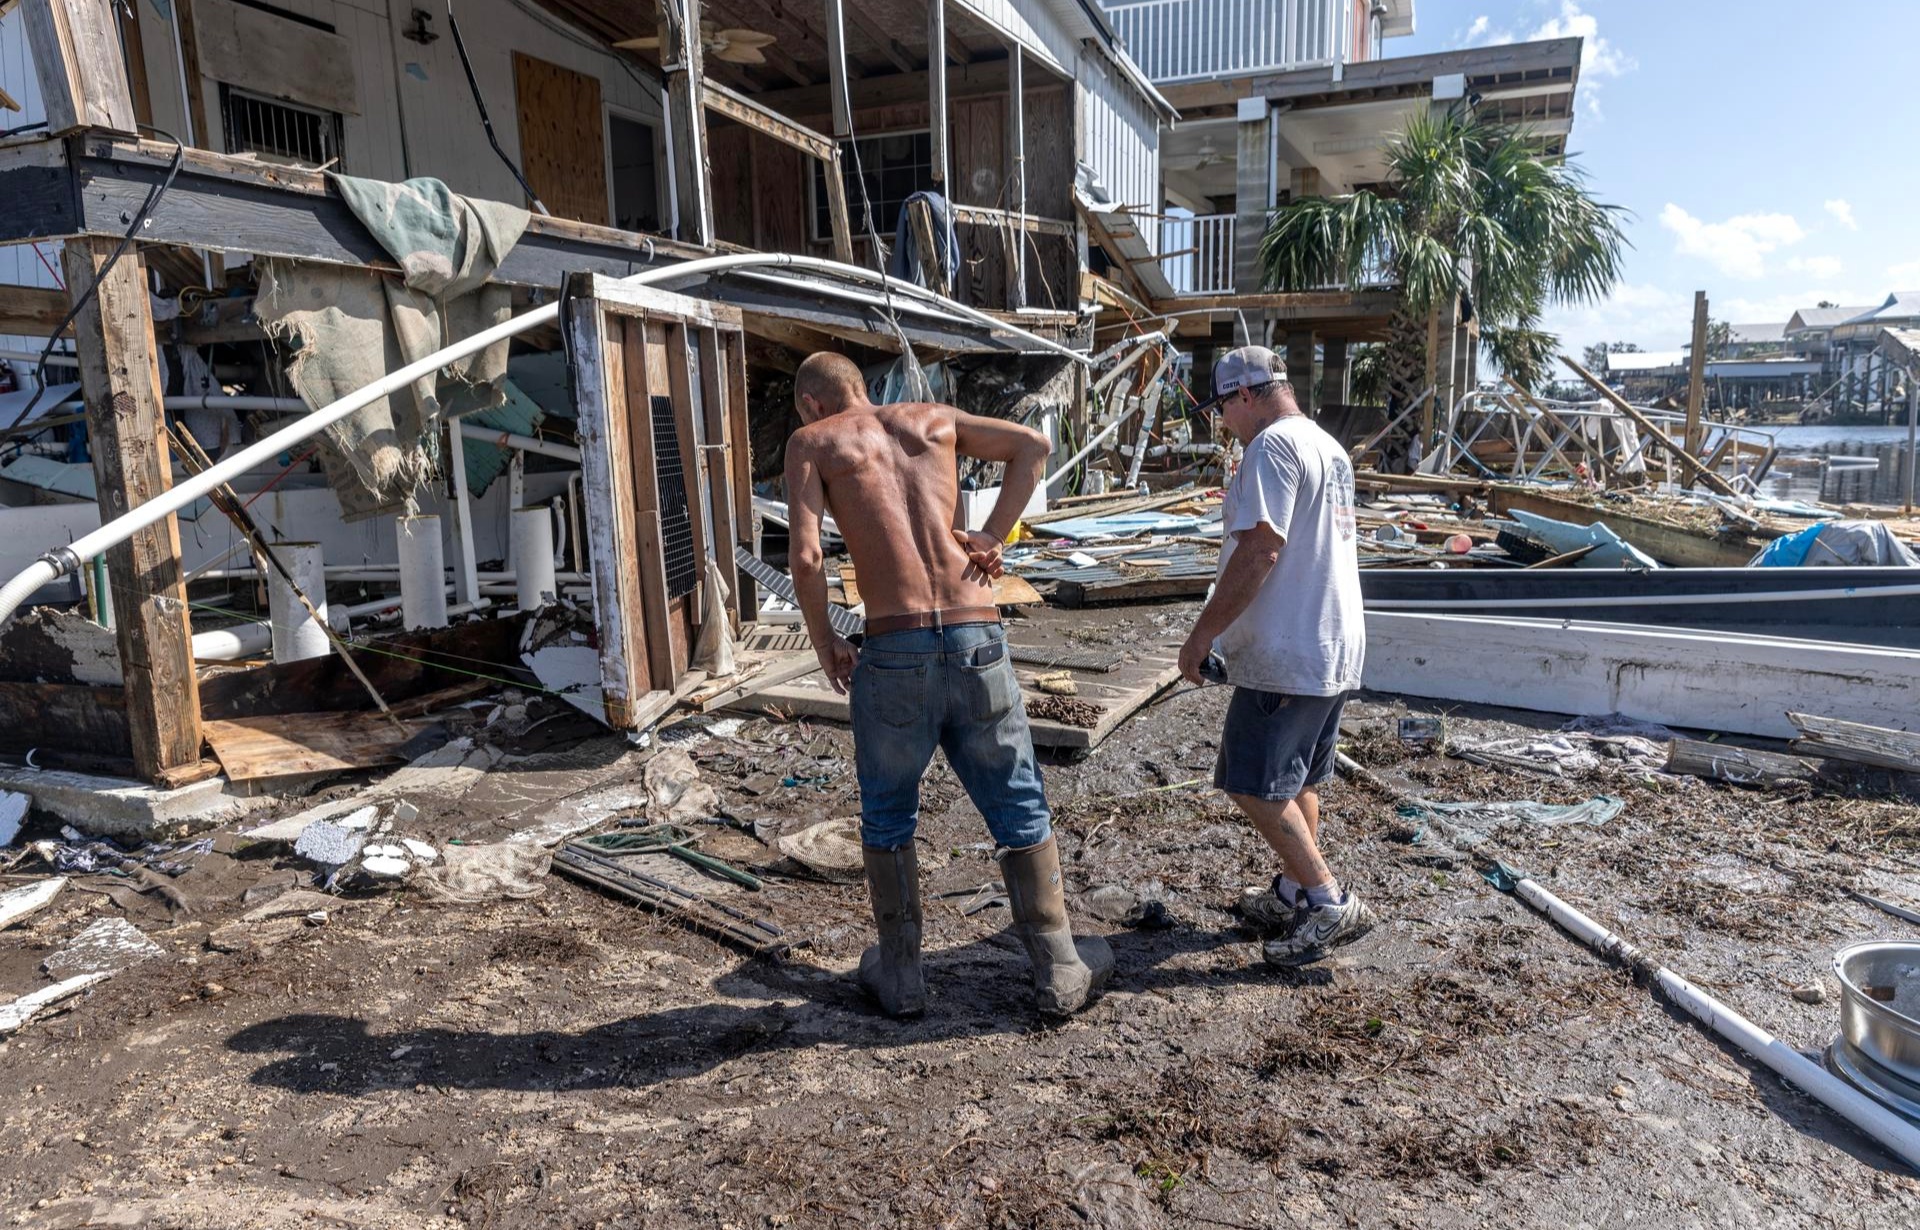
[573, 1062]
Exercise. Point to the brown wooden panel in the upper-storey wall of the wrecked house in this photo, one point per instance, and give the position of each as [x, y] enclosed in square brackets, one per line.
[564, 141]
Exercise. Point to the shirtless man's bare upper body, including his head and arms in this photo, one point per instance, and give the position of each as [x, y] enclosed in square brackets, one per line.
[890, 477]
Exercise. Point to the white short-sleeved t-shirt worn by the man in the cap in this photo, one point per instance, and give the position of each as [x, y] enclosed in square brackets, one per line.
[1305, 632]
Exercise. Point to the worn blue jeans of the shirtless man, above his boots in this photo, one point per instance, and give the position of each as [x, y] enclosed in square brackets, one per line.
[949, 688]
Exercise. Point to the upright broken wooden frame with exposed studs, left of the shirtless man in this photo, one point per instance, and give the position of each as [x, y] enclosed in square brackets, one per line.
[661, 390]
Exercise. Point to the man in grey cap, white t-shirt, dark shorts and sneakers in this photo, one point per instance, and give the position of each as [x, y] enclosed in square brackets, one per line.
[1287, 628]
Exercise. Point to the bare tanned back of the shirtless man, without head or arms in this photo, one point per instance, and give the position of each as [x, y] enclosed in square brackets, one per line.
[892, 485]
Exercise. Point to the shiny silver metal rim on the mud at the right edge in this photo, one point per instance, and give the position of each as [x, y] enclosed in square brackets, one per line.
[1879, 1045]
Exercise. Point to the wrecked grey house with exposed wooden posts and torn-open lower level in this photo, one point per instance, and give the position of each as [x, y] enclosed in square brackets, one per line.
[220, 220]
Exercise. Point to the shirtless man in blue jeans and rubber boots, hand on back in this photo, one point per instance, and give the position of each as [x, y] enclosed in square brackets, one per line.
[932, 669]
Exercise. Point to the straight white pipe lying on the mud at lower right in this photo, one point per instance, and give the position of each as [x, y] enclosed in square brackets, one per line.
[1892, 1131]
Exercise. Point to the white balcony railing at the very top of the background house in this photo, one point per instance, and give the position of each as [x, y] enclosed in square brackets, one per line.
[1199, 39]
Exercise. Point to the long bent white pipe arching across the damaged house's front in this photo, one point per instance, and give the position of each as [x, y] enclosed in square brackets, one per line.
[62, 561]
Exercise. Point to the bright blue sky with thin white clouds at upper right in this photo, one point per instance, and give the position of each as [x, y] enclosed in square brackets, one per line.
[1764, 149]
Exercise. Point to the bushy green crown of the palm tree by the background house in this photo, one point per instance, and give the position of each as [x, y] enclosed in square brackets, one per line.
[1470, 210]
